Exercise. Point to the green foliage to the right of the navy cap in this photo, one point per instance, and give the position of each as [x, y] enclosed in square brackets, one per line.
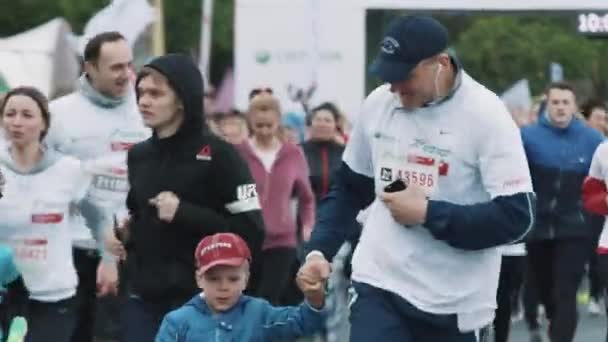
[499, 50]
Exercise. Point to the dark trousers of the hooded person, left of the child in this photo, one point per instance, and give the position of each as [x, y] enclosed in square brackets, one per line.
[141, 319]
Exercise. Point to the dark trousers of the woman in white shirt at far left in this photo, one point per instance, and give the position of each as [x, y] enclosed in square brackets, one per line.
[50, 321]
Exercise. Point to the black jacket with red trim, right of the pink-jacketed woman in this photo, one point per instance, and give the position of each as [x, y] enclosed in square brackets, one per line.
[324, 159]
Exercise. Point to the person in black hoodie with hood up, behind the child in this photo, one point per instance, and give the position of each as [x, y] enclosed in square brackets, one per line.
[184, 185]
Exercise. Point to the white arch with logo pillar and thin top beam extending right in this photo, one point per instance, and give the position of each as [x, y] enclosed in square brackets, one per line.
[327, 38]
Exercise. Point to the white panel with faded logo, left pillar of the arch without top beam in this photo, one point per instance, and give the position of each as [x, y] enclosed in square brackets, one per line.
[306, 43]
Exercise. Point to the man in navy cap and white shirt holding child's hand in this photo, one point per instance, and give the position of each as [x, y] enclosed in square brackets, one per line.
[426, 267]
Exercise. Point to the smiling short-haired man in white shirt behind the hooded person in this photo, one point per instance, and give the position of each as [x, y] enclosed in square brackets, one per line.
[97, 124]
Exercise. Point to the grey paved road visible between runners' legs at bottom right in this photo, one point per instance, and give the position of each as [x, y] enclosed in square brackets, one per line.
[590, 329]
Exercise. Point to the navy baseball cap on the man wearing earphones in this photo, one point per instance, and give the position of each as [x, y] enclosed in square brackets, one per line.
[408, 41]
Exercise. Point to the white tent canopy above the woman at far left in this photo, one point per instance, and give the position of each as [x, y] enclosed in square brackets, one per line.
[40, 57]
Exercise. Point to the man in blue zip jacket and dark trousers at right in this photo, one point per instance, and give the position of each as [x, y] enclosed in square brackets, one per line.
[559, 148]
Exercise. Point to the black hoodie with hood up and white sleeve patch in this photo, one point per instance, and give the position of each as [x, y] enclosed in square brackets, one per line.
[213, 183]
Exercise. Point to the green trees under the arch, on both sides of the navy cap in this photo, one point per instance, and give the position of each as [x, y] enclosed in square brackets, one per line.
[499, 49]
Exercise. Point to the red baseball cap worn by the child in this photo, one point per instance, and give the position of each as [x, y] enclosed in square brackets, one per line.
[221, 249]
